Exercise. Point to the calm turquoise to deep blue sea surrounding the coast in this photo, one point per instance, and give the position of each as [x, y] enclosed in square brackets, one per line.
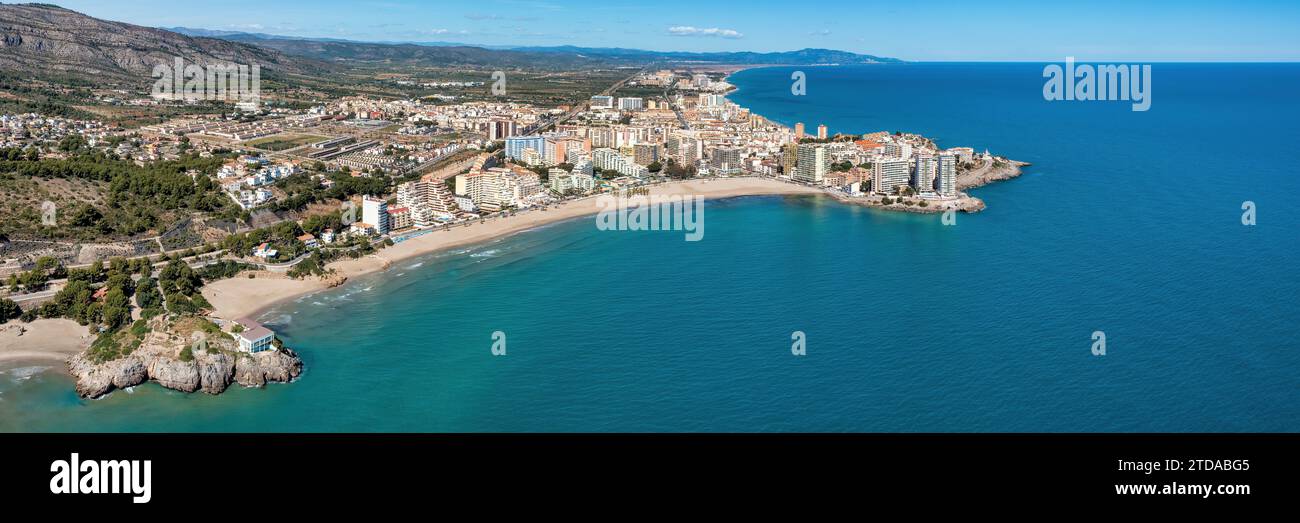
[1128, 223]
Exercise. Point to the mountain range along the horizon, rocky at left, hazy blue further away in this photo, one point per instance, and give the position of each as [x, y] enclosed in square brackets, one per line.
[49, 40]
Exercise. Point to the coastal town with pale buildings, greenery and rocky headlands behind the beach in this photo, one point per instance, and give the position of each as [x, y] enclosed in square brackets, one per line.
[293, 201]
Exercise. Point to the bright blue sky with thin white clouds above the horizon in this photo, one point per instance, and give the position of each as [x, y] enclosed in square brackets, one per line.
[1246, 31]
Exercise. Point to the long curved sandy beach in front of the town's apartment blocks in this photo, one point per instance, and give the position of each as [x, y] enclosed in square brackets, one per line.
[242, 297]
